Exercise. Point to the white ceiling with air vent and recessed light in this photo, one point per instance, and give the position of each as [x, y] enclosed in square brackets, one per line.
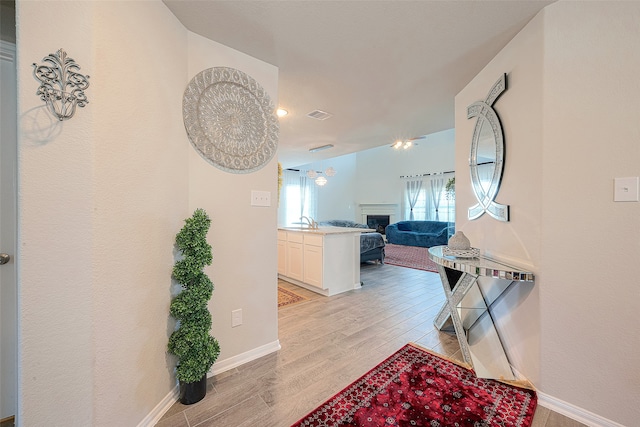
[386, 70]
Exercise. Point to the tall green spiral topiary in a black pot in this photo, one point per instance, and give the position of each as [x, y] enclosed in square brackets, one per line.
[190, 342]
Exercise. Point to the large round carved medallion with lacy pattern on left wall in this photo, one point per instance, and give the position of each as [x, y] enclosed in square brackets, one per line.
[230, 120]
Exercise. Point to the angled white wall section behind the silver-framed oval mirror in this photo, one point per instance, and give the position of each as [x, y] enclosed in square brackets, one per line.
[517, 241]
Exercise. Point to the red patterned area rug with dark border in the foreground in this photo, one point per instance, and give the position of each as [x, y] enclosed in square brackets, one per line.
[414, 387]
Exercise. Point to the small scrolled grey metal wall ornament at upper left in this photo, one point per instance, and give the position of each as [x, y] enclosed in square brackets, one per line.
[61, 85]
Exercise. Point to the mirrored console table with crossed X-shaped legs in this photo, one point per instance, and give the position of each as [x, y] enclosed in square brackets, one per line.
[472, 286]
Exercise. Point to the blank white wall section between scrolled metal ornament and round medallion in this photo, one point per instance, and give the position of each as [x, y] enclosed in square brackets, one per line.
[140, 181]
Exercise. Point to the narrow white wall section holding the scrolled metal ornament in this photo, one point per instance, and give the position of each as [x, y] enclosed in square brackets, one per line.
[55, 227]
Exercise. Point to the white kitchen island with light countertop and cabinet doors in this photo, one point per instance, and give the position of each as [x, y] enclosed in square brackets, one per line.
[325, 260]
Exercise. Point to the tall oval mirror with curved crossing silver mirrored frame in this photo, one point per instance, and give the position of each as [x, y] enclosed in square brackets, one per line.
[487, 155]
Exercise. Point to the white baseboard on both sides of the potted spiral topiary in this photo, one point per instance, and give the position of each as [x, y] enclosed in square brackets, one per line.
[172, 397]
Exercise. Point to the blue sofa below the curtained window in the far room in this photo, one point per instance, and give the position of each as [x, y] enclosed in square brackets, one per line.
[420, 233]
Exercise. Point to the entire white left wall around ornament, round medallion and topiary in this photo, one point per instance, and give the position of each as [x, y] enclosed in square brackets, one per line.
[101, 198]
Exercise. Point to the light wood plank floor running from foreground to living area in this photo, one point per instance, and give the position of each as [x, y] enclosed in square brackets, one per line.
[327, 343]
